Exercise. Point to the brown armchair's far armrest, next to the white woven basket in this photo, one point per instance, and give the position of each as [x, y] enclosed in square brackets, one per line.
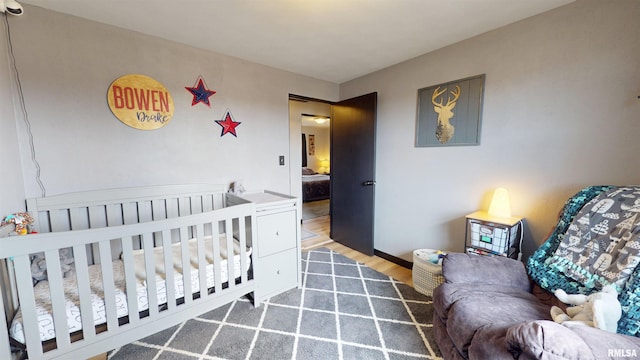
[490, 270]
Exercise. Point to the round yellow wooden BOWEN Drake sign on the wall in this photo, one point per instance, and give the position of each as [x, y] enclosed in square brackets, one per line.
[140, 102]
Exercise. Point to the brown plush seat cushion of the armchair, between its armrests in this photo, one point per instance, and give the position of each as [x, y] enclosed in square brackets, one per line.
[467, 308]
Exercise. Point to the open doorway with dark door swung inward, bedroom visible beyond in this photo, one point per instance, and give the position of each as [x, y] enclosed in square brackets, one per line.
[351, 164]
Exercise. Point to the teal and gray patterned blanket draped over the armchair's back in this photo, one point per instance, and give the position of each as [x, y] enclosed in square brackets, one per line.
[595, 243]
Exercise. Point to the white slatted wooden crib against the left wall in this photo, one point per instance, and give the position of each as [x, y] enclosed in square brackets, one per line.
[179, 248]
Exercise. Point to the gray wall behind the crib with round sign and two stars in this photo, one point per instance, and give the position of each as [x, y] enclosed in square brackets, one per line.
[67, 64]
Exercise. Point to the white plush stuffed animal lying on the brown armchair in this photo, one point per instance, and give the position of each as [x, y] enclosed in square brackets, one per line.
[601, 310]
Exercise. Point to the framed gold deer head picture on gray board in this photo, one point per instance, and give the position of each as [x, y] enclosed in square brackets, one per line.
[449, 114]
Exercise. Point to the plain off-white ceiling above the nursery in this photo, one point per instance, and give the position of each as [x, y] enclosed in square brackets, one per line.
[333, 40]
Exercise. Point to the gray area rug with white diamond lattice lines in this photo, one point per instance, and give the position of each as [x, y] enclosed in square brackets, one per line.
[345, 310]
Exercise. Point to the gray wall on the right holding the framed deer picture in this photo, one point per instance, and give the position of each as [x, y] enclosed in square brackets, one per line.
[560, 112]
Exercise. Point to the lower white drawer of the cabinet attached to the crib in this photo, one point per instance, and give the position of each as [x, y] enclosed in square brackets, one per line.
[278, 273]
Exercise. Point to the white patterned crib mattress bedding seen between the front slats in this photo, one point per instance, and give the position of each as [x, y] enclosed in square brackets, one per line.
[43, 301]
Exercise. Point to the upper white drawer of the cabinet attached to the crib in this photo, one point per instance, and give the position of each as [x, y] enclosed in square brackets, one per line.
[276, 232]
